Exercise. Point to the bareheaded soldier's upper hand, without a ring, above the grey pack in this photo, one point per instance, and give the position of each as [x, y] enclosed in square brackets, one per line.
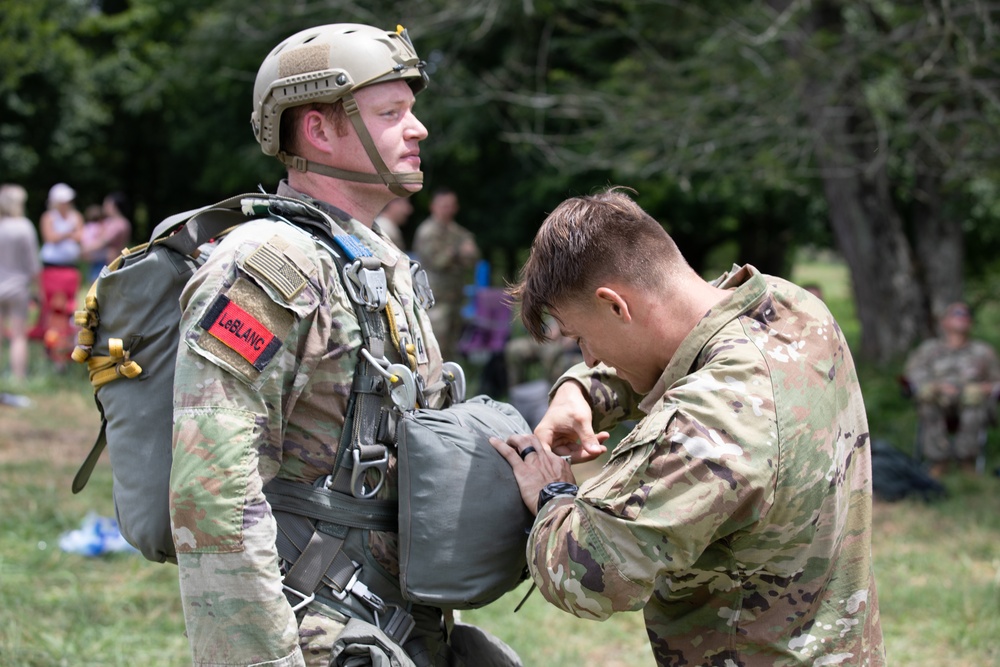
[566, 427]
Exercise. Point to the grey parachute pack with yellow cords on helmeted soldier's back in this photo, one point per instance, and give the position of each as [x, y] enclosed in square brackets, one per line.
[128, 339]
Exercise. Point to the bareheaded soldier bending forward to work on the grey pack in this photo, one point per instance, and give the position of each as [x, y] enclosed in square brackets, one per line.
[736, 514]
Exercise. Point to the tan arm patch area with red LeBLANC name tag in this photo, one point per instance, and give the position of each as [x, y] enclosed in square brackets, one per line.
[245, 328]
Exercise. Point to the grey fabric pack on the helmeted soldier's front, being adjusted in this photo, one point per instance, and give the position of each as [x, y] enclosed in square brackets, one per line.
[451, 484]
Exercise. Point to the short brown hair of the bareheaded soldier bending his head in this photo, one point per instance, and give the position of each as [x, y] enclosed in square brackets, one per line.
[585, 242]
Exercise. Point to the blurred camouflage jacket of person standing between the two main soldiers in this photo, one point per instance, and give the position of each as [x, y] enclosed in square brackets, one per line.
[439, 249]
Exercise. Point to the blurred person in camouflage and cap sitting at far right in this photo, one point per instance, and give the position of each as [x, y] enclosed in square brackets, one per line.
[956, 377]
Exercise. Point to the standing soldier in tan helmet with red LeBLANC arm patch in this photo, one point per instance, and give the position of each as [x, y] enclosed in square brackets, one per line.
[335, 104]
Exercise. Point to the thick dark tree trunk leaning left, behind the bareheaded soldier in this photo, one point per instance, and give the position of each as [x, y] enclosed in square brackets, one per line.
[889, 299]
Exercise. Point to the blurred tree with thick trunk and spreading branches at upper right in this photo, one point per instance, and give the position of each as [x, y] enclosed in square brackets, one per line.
[887, 110]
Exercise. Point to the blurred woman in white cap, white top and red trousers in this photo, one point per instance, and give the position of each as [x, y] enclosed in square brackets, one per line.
[61, 231]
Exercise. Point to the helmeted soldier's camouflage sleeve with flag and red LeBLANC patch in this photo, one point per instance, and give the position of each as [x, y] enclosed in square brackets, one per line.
[244, 350]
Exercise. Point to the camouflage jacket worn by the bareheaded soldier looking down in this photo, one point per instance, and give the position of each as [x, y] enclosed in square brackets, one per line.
[737, 513]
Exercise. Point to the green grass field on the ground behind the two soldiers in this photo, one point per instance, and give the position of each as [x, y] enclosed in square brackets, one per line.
[937, 565]
